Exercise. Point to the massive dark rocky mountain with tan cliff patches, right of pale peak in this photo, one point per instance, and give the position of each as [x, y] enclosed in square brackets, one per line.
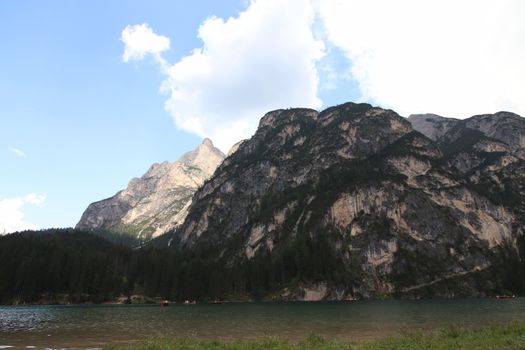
[370, 205]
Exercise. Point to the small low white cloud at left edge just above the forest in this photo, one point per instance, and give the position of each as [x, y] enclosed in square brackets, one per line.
[12, 216]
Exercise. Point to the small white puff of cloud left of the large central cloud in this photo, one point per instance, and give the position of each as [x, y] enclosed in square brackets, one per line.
[139, 40]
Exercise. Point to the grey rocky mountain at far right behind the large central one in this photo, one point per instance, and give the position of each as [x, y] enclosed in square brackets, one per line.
[488, 151]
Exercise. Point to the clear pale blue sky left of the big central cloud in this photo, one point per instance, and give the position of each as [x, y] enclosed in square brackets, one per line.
[85, 121]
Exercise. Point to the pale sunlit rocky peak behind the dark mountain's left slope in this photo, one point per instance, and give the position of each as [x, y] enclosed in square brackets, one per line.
[157, 201]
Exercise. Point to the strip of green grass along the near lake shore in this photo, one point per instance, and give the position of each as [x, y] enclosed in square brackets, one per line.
[500, 337]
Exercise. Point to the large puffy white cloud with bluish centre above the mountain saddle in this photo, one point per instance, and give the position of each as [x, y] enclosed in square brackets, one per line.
[261, 60]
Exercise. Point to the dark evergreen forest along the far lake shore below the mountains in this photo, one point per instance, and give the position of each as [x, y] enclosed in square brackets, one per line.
[71, 266]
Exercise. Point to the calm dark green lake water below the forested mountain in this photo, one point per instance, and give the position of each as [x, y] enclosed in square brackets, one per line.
[93, 326]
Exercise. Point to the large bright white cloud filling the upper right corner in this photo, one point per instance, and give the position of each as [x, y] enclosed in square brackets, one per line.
[455, 58]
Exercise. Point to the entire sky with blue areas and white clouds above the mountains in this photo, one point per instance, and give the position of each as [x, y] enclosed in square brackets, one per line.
[92, 93]
